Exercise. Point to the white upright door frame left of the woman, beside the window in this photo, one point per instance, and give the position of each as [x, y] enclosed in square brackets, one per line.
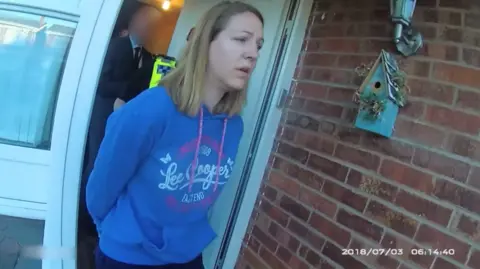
[90, 44]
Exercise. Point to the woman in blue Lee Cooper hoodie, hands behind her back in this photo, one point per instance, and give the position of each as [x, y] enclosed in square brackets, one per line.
[168, 153]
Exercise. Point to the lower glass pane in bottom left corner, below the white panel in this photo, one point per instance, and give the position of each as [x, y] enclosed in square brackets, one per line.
[15, 234]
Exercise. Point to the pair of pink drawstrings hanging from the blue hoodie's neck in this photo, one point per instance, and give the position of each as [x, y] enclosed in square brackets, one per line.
[197, 150]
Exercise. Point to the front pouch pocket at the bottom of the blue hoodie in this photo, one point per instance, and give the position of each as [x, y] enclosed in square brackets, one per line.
[181, 244]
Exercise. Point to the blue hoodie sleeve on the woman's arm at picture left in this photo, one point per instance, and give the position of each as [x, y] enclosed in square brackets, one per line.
[128, 140]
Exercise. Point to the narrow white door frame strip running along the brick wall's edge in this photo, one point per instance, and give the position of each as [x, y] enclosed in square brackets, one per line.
[286, 73]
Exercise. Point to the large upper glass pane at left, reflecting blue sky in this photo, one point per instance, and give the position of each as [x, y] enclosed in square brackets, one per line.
[33, 50]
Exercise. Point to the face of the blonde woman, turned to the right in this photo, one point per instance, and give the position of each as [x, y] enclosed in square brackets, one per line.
[233, 53]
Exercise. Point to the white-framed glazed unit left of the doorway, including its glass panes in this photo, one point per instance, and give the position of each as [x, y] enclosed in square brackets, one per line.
[43, 45]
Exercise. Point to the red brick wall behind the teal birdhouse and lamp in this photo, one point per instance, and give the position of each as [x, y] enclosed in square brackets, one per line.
[330, 187]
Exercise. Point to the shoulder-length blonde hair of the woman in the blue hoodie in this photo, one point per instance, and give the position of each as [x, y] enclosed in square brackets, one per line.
[186, 82]
